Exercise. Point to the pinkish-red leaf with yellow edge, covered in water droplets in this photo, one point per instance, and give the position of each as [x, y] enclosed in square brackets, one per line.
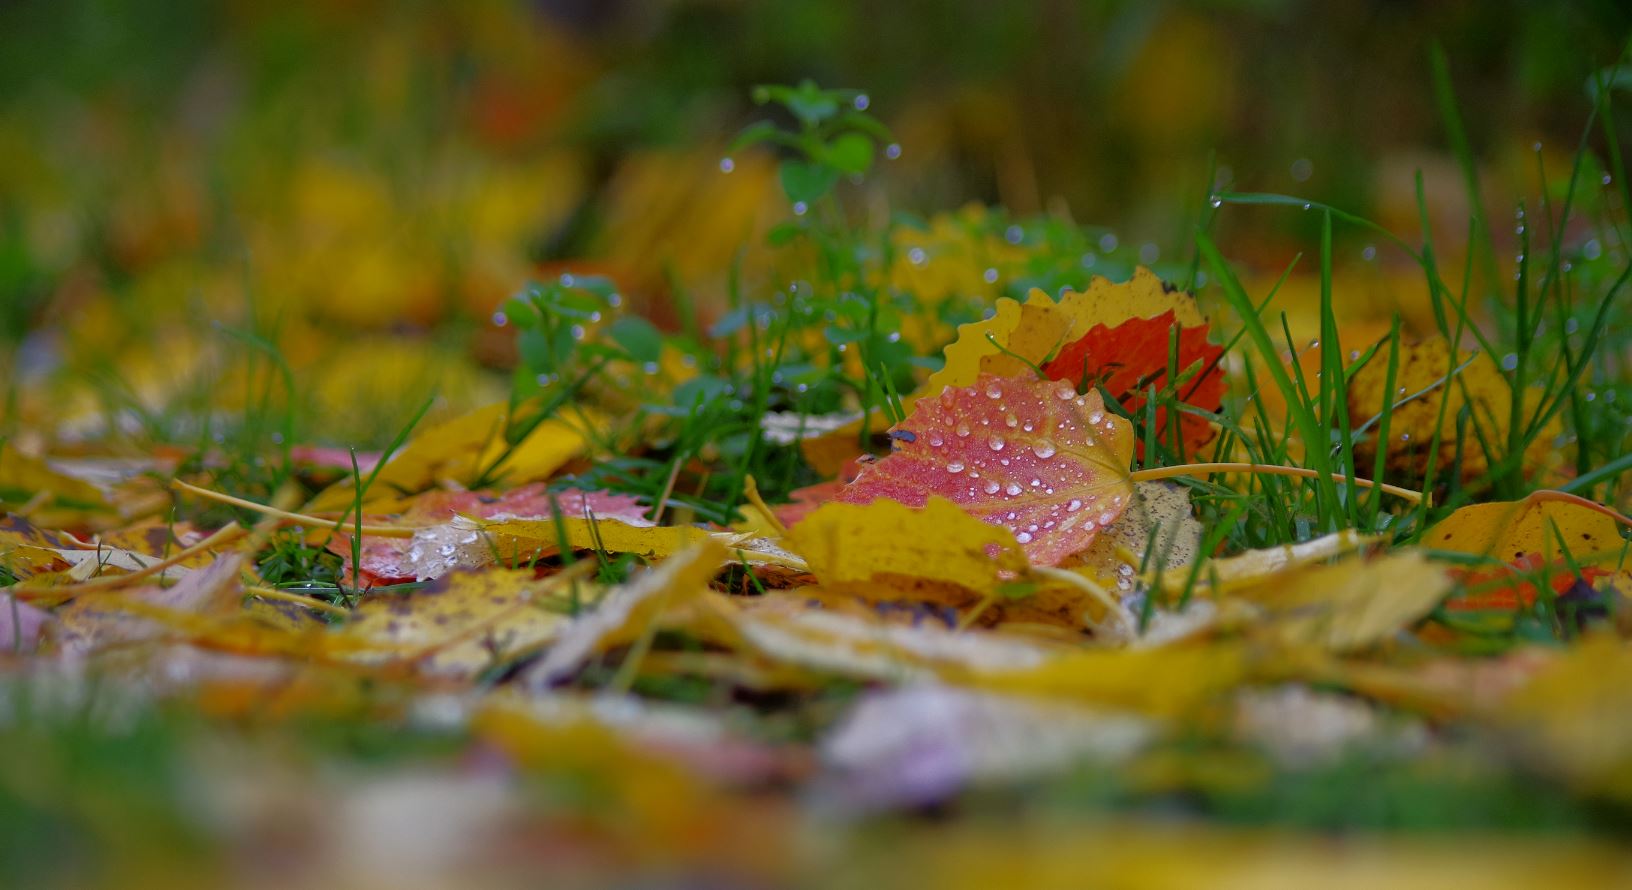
[1019, 453]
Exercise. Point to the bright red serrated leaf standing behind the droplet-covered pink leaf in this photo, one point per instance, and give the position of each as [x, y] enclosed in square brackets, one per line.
[1132, 357]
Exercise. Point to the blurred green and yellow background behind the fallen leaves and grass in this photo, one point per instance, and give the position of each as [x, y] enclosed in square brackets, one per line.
[399, 169]
